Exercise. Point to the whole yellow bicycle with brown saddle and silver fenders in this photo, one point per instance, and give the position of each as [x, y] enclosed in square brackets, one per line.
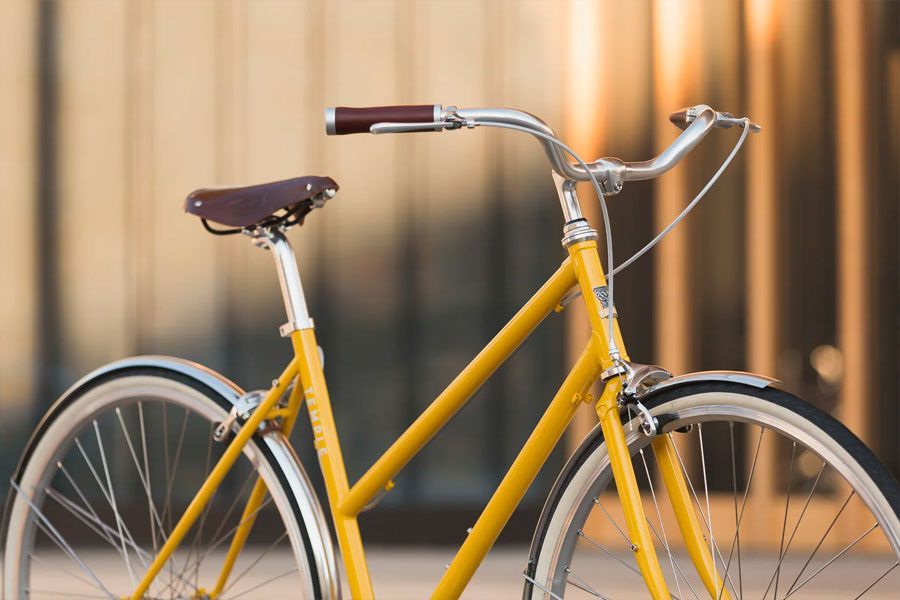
[117, 438]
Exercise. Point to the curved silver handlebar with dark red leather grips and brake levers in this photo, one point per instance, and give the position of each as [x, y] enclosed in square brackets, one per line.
[612, 173]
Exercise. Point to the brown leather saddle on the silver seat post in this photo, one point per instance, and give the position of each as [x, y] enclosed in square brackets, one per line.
[279, 202]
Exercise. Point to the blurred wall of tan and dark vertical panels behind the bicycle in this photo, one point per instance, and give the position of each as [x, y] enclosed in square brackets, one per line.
[112, 111]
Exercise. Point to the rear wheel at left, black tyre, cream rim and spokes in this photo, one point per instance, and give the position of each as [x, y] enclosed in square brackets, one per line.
[102, 487]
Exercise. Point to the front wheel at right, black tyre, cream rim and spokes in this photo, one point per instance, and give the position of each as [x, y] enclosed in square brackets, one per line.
[791, 504]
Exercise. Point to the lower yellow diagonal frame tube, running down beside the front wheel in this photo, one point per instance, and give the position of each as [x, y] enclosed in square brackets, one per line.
[523, 471]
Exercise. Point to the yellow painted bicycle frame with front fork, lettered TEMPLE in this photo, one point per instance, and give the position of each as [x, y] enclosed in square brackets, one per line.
[581, 268]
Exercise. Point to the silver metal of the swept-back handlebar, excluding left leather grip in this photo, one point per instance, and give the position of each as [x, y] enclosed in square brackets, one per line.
[612, 173]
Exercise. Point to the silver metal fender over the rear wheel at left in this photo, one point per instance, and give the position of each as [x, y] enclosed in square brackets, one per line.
[314, 522]
